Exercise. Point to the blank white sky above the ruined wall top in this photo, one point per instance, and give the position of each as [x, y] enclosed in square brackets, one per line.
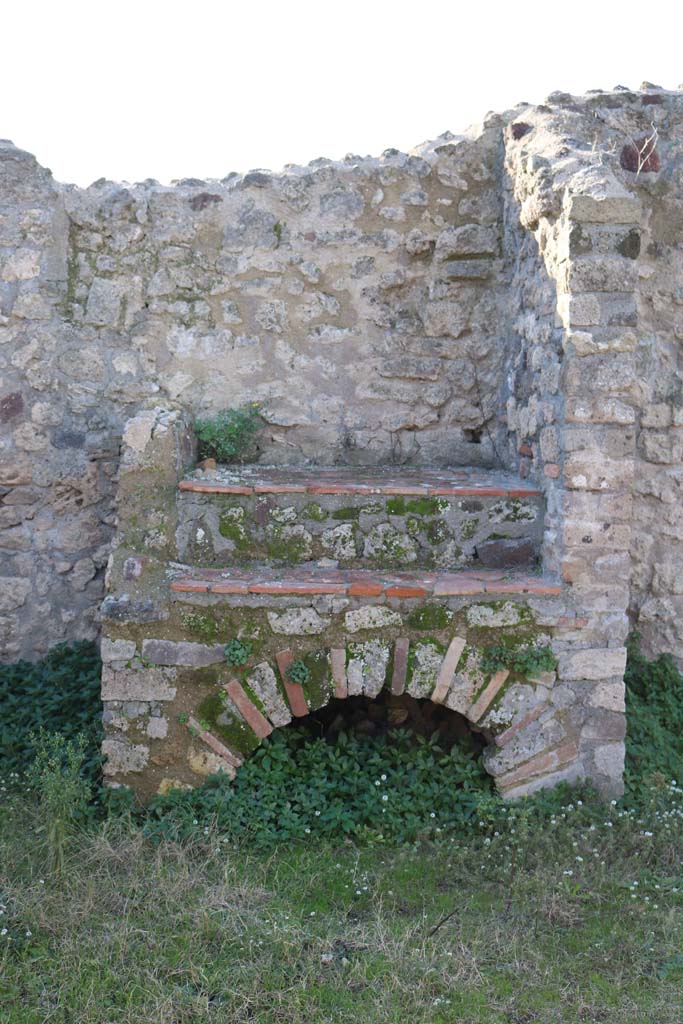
[157, 89]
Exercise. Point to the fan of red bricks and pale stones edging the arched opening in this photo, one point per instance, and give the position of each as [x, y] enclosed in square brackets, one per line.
[293, 703]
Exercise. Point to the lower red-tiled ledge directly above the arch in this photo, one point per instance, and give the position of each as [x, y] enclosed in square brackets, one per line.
[363, 582]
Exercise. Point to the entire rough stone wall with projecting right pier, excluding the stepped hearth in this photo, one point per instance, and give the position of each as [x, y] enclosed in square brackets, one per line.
[509, 298]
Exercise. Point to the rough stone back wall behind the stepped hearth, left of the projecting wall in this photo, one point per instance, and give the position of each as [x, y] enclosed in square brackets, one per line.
[360, 304]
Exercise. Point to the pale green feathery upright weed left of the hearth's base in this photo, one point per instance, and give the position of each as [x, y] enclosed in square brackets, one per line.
[64, 793]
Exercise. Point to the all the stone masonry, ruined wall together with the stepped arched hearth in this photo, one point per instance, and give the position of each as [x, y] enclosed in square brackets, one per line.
[499, 312]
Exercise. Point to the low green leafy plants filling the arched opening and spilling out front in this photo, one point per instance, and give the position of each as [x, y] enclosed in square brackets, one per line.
[387, 789]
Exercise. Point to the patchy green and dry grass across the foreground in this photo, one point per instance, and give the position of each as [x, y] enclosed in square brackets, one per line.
[571, 917]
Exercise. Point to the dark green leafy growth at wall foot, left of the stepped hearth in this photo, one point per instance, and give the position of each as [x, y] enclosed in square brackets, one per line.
[61, 694]
